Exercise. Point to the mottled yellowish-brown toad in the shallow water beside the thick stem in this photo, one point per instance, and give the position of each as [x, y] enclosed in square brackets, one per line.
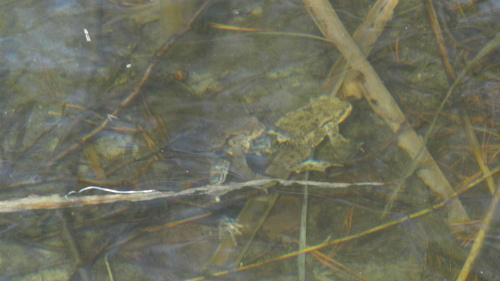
[297, 134]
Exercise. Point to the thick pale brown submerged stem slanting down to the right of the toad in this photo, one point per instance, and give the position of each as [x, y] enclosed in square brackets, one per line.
[386, 107]
